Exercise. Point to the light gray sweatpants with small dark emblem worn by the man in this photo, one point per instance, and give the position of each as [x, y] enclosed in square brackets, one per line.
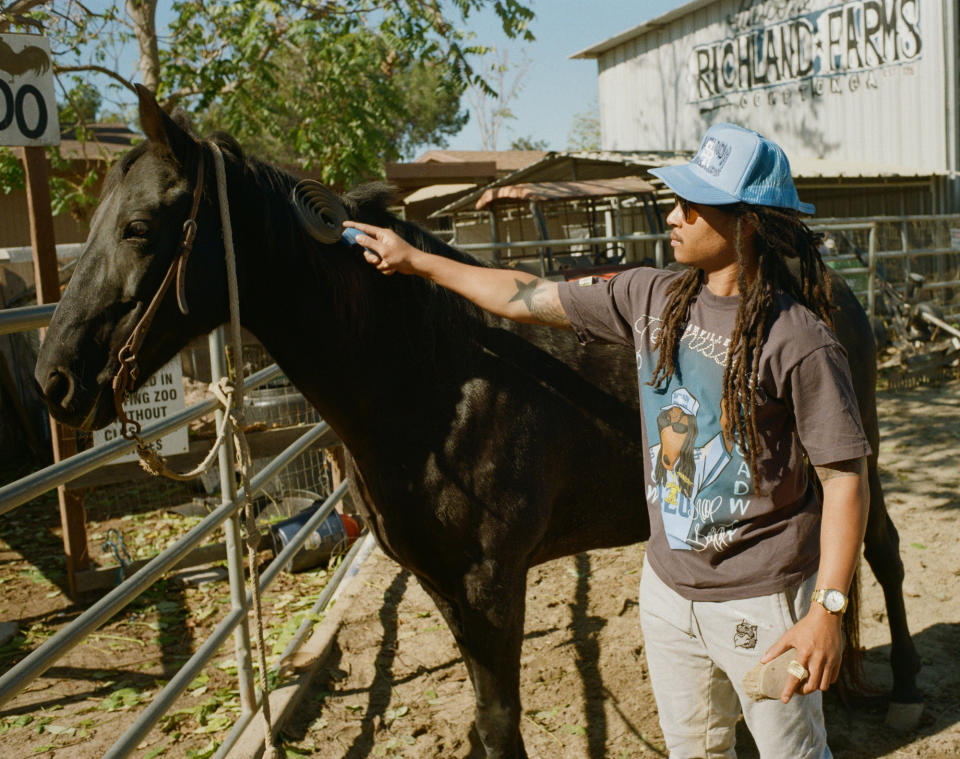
[698, 652]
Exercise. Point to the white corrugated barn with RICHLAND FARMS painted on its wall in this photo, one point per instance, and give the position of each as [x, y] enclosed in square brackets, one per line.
[862, 95]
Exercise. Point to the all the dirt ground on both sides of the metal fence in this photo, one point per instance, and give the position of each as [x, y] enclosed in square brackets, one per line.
[395, 686]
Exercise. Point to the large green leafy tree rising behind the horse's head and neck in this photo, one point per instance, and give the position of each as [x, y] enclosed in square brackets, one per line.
[339, 85]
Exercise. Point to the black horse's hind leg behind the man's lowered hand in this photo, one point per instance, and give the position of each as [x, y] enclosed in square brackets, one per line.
[882, 552]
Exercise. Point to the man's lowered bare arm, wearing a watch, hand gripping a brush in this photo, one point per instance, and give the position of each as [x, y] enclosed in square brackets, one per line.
[817, 638]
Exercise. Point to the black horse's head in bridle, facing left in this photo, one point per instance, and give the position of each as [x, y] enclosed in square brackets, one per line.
[136, 233]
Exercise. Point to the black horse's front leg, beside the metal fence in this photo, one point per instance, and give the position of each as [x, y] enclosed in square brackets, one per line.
[487, 624]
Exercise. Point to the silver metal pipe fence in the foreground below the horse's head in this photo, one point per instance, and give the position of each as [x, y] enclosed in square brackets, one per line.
[227, 514]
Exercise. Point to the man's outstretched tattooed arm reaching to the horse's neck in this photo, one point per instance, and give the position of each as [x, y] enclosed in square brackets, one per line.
[512, 294]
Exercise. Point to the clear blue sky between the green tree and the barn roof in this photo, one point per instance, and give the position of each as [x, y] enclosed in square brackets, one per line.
[556, 88]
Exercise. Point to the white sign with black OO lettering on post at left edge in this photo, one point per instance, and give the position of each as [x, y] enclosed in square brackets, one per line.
[28, 106]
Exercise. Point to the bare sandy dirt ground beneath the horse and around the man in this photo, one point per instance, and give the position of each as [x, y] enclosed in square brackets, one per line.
[395, 686]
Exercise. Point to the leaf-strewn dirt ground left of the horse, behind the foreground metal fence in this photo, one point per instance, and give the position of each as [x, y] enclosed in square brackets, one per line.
[91, 696]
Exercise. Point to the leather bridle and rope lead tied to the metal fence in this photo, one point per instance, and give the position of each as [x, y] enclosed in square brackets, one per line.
[229, 392]
